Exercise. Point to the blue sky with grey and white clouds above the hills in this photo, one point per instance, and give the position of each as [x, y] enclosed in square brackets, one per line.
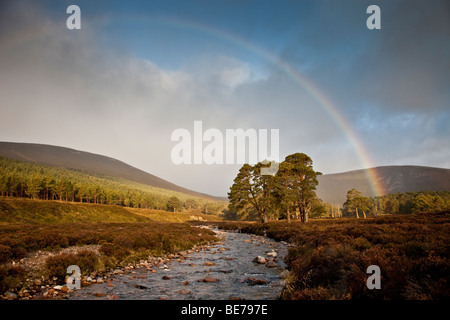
[347, 96]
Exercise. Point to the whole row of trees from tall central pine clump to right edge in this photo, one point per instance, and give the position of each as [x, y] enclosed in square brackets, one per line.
[289, 193]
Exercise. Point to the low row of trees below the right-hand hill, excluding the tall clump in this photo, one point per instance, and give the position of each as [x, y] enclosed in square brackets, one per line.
[396, 203]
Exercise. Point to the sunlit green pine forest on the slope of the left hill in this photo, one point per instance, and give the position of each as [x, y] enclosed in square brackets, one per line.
[29, 180]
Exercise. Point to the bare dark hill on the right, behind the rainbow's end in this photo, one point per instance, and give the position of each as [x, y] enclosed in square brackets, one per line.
[333, 188]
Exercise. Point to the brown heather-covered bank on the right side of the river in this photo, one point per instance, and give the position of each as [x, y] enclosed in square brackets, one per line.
[330, 257]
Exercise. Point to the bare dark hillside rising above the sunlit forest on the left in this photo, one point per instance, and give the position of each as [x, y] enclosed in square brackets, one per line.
[92, 163]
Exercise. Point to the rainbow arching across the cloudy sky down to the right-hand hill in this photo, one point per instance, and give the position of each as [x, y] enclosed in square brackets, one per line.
[332, 110]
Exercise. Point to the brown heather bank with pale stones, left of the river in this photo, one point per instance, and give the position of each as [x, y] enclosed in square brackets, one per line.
[34, 257]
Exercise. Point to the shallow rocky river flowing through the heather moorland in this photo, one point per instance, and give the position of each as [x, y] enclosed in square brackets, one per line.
[233, 258]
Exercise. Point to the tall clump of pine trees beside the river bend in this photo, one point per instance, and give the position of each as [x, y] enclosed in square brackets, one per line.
[290, 193]
